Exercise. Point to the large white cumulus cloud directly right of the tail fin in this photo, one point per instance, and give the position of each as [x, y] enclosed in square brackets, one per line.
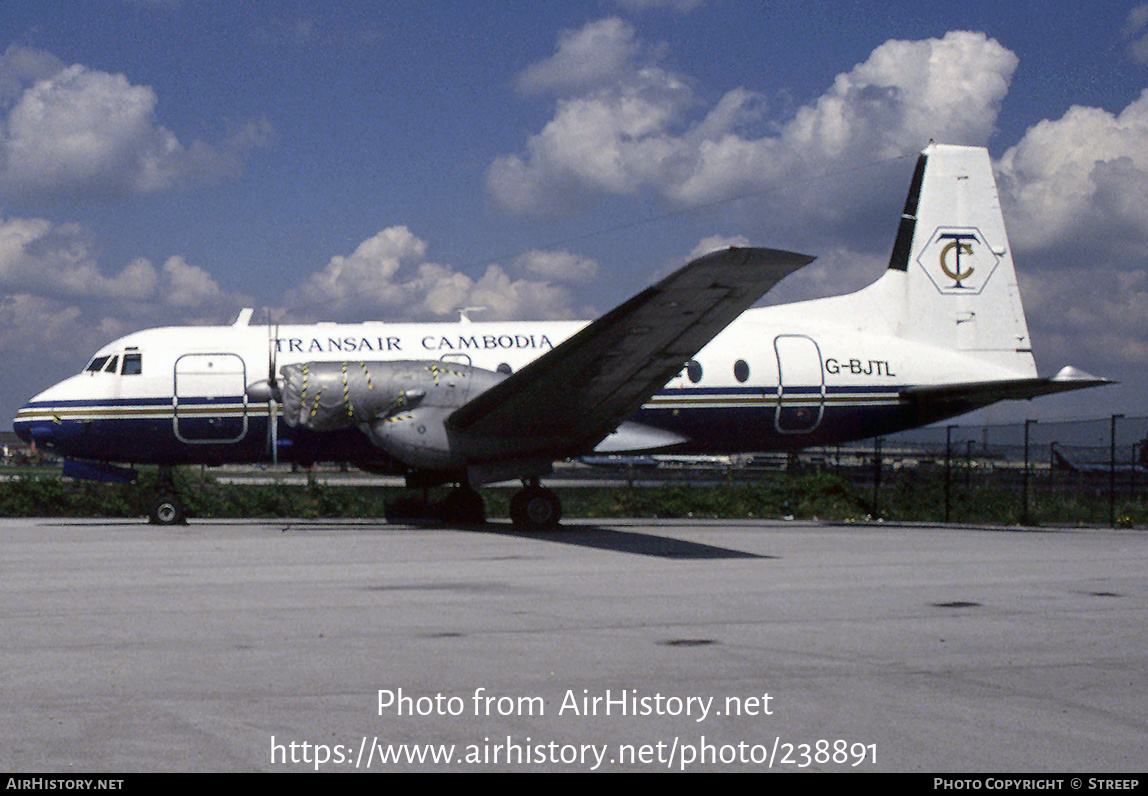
[1075, 194]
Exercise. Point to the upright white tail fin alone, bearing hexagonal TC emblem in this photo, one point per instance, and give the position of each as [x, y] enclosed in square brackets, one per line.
[951, 280]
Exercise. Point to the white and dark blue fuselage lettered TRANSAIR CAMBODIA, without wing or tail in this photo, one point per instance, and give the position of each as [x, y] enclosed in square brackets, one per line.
[764, 384]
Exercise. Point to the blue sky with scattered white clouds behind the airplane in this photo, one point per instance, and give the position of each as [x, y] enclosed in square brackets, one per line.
[173, 161]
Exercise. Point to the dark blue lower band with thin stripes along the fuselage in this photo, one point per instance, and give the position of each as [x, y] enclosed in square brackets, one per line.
[731, 420]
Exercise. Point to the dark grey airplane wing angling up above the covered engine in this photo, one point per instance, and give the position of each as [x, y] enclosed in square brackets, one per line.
[570, 399]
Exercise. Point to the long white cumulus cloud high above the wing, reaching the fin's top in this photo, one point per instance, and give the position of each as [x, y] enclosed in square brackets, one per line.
[648, 128]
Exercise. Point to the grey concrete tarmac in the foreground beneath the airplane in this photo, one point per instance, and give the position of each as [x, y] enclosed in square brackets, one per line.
[611, 646]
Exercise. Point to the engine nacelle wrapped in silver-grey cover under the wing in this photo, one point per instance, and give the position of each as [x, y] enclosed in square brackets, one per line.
[402, 406]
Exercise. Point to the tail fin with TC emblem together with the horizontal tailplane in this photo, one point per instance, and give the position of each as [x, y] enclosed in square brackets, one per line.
[951, 284]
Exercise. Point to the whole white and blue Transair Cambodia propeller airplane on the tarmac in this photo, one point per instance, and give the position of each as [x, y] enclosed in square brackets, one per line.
[686, 367]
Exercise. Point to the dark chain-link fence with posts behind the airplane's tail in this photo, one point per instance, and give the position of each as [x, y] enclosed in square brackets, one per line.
[1049, 473]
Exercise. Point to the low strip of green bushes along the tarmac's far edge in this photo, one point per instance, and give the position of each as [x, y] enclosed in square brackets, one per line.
[918, 498]
